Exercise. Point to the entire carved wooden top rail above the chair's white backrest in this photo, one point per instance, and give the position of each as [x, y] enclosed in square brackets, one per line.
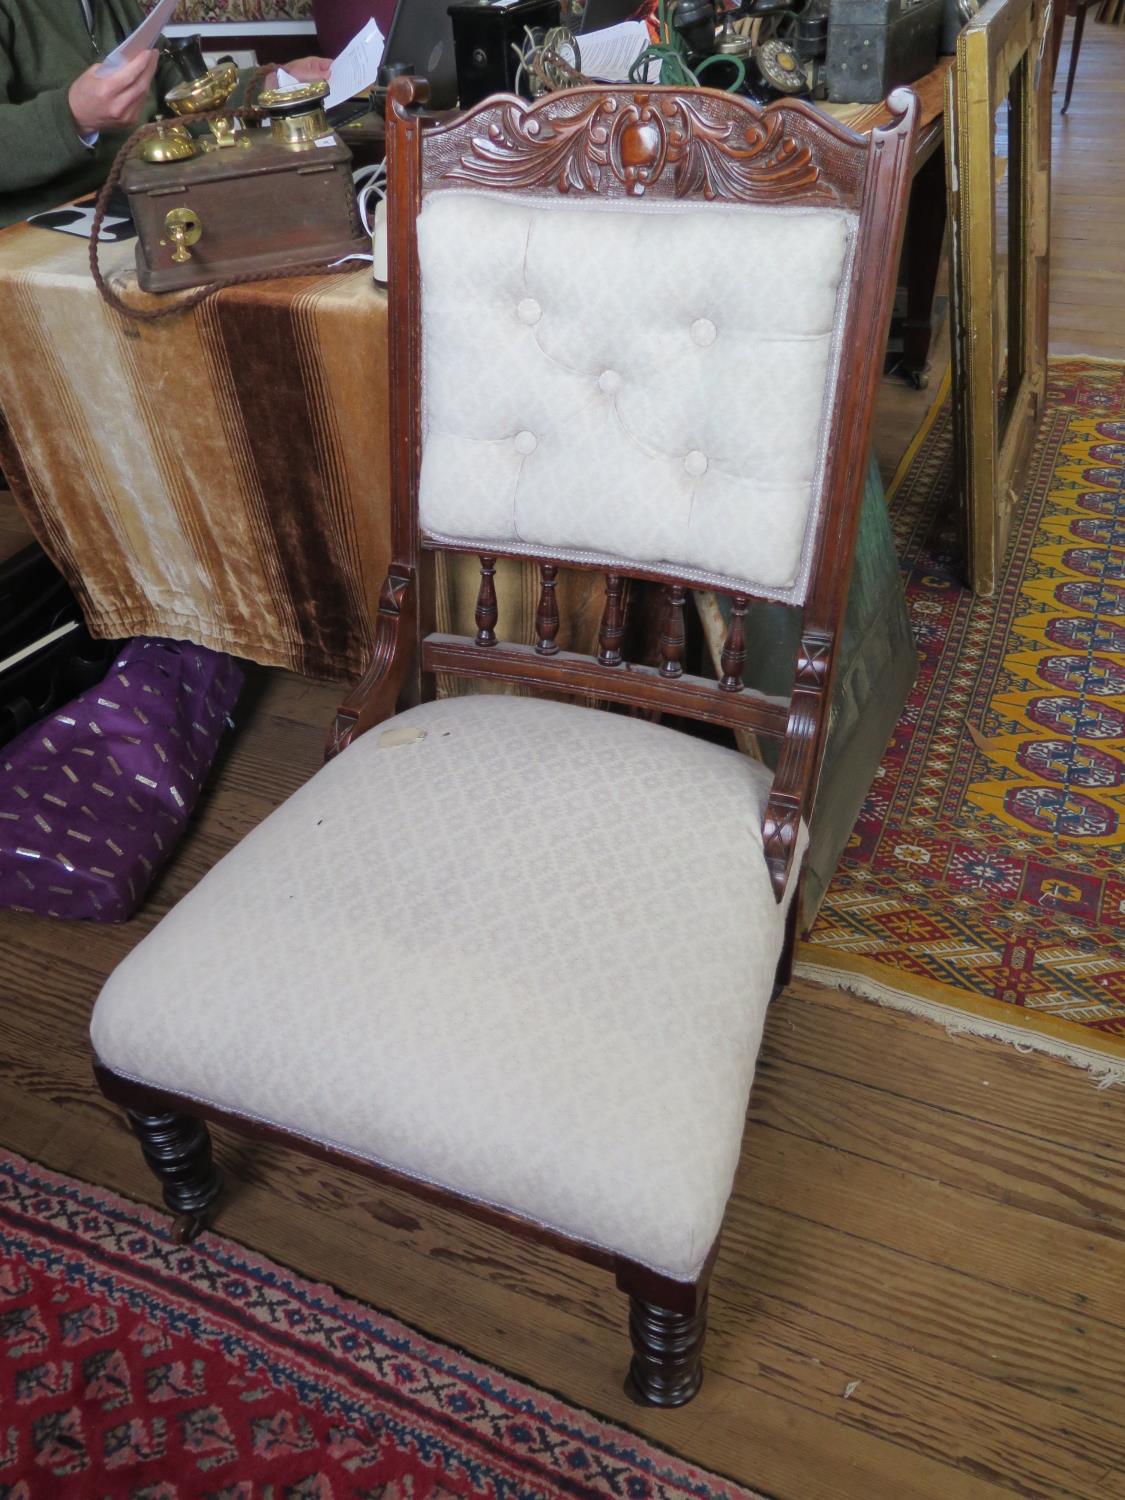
[649, 142]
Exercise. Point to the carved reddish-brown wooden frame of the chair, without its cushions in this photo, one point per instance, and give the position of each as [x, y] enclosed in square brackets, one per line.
[620, 142]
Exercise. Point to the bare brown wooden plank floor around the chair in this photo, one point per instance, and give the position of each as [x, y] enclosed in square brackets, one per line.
[922, 1289]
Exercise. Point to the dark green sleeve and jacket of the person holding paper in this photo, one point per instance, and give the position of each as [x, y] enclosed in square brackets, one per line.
[44, 47]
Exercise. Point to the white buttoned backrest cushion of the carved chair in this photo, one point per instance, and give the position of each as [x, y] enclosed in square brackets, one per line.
[643, 386]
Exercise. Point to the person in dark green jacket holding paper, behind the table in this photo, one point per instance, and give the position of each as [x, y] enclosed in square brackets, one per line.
[61, 121]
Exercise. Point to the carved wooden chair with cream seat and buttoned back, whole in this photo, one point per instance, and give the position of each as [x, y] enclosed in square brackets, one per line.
[512, 953]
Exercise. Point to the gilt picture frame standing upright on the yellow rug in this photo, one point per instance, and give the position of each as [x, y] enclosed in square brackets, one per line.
[998, 173]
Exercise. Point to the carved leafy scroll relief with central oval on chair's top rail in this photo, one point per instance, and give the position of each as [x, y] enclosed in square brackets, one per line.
[713, 148]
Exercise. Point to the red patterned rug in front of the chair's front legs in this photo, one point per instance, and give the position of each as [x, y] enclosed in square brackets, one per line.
[133, 1369]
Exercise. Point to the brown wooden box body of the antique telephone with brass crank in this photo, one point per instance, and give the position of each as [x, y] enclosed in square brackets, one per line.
[260, 208]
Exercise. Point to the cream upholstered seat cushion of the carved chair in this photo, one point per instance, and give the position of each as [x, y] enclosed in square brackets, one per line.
[478, 949]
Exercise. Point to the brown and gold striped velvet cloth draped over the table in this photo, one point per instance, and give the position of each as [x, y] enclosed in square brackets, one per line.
[220, 476]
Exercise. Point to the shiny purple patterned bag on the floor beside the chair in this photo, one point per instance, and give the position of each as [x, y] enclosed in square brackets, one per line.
[97, 797]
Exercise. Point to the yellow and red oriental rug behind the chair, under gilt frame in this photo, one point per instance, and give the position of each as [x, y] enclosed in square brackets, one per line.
[985, 881]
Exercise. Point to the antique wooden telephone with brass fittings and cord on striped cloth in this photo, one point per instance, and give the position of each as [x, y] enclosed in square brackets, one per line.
[224, 196]
